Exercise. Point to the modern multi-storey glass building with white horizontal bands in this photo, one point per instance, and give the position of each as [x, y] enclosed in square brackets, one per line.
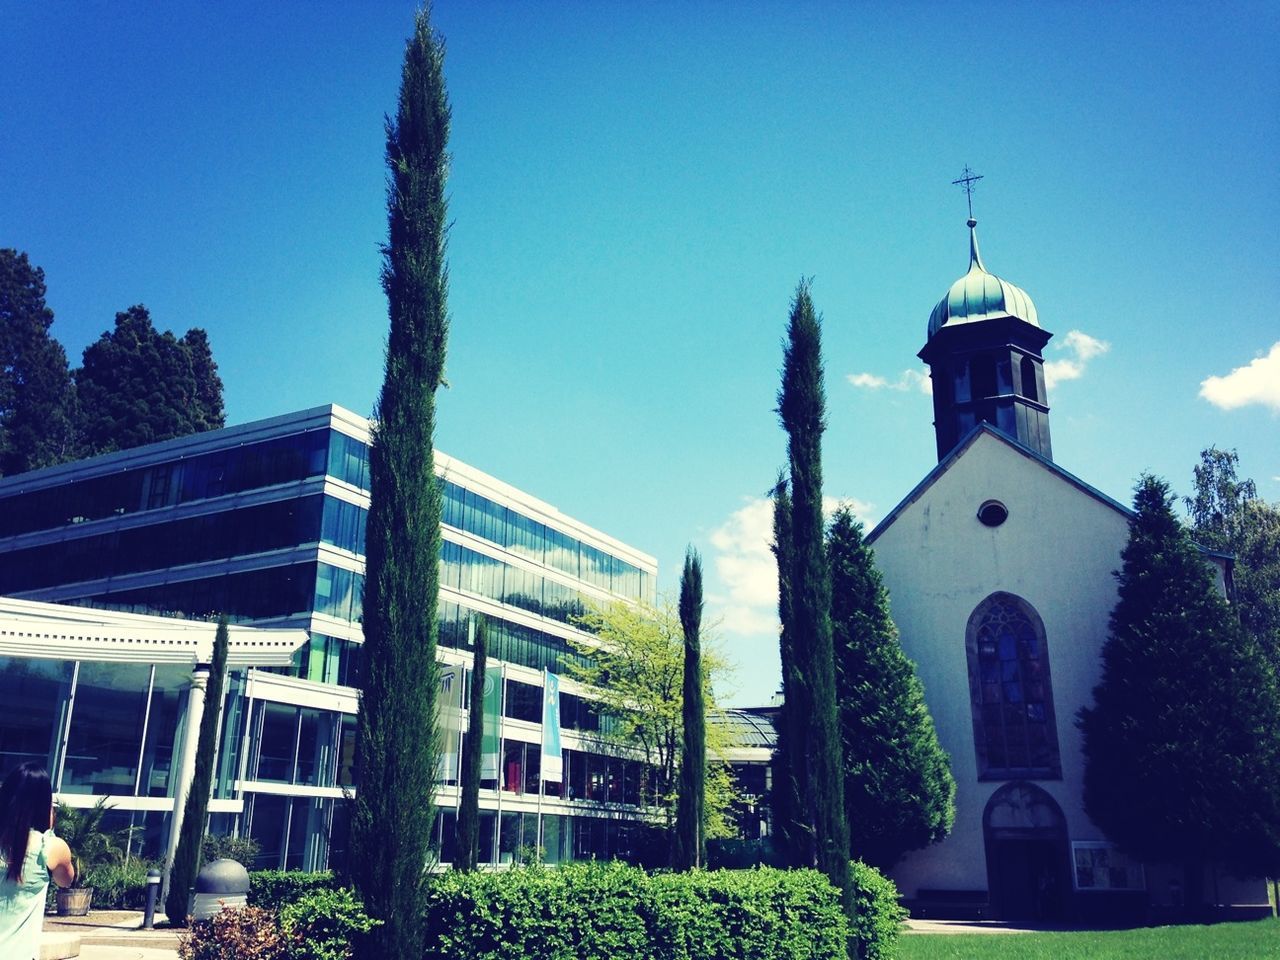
[266, 523]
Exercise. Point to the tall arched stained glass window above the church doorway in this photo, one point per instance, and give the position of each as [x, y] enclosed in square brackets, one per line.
[1013, 701]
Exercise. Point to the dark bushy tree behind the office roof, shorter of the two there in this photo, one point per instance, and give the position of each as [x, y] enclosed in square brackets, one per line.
[139, 386]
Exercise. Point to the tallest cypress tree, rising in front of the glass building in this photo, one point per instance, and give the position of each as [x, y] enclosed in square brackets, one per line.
[399, 747]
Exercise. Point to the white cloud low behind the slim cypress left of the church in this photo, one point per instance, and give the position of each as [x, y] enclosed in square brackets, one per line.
[748, 575]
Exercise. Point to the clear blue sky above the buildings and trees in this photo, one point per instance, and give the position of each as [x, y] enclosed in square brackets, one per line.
[637, 190]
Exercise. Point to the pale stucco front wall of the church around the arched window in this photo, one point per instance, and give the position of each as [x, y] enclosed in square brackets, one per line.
[1057, 551]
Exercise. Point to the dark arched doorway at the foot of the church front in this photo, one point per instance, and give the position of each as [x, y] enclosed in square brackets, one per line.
[1027, 854]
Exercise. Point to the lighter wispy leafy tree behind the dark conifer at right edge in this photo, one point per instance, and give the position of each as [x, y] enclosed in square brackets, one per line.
[1228, 515]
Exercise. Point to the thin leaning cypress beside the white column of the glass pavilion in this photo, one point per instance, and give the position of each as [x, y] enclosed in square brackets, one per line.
[186, 860]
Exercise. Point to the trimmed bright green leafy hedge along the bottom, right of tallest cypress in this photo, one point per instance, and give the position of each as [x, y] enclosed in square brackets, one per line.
[609, 912]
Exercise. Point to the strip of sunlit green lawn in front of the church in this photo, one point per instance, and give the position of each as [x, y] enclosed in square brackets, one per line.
[1224, 941]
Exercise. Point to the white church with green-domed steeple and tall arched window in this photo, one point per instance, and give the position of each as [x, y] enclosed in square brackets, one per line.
[1000, 568]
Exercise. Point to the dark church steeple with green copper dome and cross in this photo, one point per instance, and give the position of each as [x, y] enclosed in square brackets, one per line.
[985, 355]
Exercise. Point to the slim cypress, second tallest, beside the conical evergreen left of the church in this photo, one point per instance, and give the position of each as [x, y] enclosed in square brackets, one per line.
[802, 406]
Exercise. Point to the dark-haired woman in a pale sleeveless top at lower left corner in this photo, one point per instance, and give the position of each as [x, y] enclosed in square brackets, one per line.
[30, 854]
